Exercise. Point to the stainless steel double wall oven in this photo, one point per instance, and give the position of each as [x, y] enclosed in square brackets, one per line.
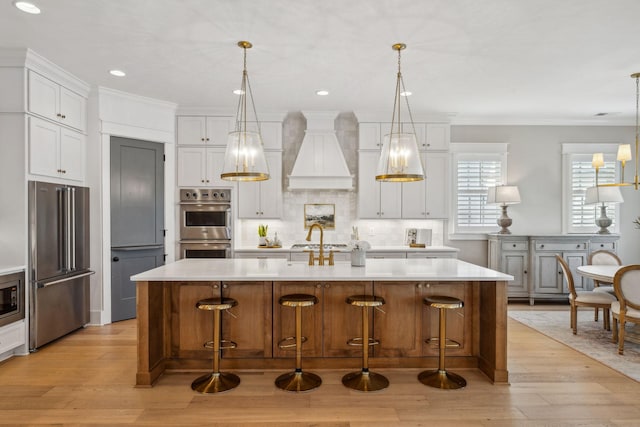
[205, 223]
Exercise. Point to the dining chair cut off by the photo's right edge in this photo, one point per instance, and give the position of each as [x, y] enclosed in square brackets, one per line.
[626, 284]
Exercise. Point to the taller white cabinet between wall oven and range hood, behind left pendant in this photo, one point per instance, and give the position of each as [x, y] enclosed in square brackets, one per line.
[263, 199]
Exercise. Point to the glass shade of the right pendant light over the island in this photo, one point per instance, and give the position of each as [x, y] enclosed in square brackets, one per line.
[400, 160]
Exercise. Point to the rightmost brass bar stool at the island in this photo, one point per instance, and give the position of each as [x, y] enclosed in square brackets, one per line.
[440, 378]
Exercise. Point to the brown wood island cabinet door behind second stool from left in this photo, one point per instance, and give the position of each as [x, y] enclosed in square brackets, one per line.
[284, 319]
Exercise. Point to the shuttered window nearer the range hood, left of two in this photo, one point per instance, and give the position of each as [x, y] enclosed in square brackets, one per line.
[475, 168]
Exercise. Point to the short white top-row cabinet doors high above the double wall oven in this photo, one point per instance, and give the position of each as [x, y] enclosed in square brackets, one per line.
[204, 130]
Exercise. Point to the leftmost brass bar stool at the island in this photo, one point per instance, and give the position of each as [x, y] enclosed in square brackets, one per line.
[216, 381]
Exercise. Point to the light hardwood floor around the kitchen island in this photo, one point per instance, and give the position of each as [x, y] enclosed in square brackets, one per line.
[87, 378]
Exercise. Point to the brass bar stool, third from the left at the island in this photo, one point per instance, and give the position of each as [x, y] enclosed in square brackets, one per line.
[364, 380]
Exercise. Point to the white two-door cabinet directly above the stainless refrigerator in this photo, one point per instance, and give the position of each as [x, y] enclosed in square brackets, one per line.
[55, 151]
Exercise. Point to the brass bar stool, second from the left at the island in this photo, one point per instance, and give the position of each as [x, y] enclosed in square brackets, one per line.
[297, 380]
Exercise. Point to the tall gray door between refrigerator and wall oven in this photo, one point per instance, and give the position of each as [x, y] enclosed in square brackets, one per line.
[137, 218]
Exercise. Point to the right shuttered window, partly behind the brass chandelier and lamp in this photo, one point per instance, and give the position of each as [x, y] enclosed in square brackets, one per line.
[578, 176]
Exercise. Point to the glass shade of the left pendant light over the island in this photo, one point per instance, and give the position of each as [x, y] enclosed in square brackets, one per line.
[244, 158]
